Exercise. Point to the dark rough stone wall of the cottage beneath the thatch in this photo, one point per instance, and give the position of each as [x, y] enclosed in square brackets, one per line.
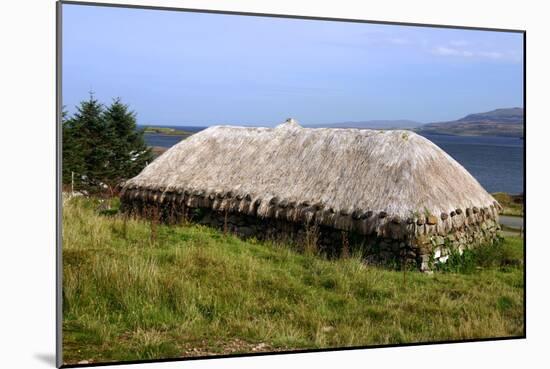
[422, 251]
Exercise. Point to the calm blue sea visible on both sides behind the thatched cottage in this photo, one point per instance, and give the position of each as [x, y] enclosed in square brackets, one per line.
[496, 162]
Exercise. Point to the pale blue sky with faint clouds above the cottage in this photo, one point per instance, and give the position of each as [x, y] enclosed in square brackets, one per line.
[182, 68]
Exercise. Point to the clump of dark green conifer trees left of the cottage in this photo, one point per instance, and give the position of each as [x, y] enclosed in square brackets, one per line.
[102, 147]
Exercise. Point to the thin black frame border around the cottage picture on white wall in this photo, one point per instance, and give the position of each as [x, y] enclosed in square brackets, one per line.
[59, 200]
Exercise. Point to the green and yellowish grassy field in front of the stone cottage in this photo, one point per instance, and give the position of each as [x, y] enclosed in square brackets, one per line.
[194, 292]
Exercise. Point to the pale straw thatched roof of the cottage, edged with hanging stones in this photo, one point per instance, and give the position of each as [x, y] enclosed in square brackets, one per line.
[350, 179]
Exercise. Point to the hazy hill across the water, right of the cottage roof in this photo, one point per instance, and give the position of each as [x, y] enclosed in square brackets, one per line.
[499, 122]
